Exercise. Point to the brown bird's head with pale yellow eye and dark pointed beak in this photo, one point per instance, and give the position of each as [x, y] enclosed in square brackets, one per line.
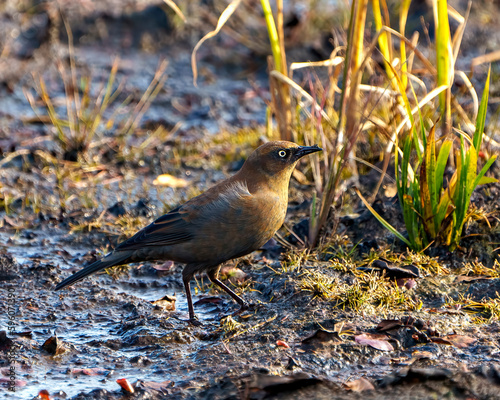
[277, 159]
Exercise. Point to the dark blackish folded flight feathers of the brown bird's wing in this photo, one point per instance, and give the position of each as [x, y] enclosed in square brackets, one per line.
[171, 228]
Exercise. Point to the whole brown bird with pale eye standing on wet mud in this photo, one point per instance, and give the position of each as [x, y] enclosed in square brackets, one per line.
[230, 220]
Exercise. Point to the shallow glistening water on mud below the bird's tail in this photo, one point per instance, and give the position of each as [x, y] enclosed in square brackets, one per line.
[110, 329]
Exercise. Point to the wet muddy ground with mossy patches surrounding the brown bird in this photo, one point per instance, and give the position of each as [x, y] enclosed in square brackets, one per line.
[360, 317]
